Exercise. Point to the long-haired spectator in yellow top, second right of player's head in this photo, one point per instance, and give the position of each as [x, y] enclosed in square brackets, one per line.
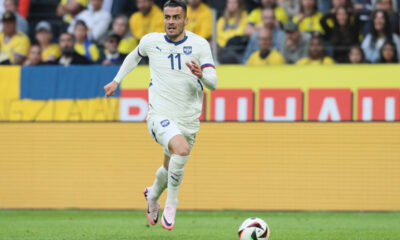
[232, 23]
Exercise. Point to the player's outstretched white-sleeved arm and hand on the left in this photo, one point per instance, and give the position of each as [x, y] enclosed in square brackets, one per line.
[130, 62]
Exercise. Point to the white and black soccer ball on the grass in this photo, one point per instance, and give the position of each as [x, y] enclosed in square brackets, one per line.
[254, 229]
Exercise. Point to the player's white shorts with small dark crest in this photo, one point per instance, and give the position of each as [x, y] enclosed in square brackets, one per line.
[163, 129]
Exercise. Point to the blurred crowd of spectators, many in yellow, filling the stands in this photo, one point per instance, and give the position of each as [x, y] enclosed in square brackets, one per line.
[249, 32]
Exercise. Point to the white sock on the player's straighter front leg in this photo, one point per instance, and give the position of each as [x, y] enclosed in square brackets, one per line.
[175, 175]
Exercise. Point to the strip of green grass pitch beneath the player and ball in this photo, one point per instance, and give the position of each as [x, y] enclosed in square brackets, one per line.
[199, 225]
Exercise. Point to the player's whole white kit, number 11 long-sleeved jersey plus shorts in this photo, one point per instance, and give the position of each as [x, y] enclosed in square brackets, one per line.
[175, 93]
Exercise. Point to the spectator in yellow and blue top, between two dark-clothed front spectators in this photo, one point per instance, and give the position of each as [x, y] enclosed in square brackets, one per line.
[83, 45]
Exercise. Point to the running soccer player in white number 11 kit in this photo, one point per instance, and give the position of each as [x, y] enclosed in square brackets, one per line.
[180, 64]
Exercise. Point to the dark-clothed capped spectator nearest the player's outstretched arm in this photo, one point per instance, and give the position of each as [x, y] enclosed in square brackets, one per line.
[111, 54]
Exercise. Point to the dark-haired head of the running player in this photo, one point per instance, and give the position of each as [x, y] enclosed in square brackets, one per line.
[175, 18]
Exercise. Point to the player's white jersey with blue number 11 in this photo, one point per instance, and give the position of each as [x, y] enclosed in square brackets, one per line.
[174, 90]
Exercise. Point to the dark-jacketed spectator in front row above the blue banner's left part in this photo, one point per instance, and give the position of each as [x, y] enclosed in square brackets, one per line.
[68, 55]
